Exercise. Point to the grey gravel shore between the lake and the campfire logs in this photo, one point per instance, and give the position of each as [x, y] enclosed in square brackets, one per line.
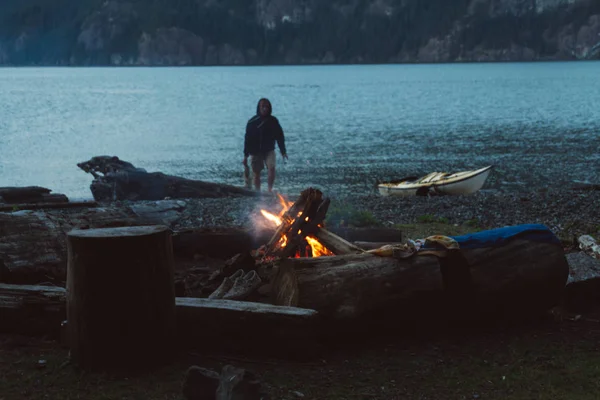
[566, 212]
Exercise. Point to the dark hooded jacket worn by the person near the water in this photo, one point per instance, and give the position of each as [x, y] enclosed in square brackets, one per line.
[262, 133]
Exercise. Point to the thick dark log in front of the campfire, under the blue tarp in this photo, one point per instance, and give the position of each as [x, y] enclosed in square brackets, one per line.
[521, 276]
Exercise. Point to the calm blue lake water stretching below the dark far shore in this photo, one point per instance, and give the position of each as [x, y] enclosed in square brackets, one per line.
[345, 126]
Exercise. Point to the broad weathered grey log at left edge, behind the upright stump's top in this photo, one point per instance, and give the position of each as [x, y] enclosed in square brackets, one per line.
[33, 245]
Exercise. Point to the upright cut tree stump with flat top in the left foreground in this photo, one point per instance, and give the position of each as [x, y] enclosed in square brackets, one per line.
[120, 297]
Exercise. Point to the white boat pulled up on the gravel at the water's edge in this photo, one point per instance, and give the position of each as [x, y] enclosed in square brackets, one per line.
[464, 182]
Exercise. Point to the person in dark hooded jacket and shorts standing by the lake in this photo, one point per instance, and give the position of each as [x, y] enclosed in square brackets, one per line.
[262, 131]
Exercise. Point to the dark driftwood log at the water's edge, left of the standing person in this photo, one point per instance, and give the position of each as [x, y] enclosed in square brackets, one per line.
[116, 179]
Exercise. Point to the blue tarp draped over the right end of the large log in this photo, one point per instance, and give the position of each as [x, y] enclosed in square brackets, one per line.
[498, 237]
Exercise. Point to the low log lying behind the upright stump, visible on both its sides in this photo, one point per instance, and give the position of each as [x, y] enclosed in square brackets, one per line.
[202, 324]
